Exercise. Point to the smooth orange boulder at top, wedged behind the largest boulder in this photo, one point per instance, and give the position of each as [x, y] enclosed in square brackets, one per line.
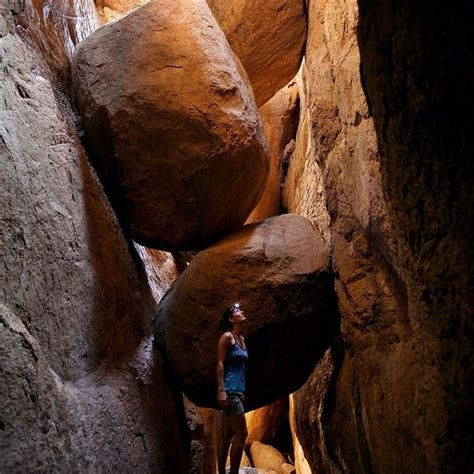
[268, 37]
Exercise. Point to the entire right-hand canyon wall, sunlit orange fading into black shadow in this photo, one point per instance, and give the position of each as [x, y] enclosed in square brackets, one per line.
[385, 154]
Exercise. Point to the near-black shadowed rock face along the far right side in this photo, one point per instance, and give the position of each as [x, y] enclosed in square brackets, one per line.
[424, 125]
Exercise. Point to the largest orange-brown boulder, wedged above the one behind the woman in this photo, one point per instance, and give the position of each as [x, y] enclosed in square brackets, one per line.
[171, 123]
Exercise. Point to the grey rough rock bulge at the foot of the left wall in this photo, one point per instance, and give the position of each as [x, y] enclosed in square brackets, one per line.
[122, 417]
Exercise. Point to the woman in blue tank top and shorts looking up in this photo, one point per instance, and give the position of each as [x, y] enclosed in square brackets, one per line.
[231, 358]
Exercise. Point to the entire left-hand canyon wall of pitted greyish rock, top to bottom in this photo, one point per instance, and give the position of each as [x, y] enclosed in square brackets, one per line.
[81, 387]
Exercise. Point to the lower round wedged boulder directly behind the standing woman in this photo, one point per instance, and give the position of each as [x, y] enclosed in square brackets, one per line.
[280, 272]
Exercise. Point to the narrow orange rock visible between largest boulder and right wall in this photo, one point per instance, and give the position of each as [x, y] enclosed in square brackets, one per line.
[280, 121]
